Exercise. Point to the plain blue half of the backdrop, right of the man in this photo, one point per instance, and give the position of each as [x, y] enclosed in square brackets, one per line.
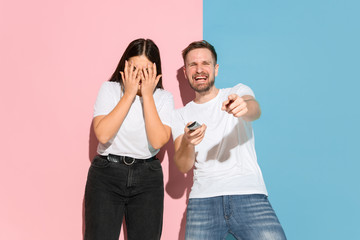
[301, 58]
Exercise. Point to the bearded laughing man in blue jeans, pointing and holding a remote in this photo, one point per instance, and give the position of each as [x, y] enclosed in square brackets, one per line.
[228, 194]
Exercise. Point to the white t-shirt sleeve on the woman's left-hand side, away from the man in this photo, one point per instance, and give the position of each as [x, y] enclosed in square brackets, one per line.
[104, 103]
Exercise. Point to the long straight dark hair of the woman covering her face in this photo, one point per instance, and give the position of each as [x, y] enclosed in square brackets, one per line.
[138, 47]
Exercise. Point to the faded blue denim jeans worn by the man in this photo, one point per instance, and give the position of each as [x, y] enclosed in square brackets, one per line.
[244, 216]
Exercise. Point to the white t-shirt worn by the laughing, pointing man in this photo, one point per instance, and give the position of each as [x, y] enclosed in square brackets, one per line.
[226, 162]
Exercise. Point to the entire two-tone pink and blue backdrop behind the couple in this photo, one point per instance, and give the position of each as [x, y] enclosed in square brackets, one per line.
[301, 58]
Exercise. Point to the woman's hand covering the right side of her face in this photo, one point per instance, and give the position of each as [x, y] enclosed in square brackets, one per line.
[149, 80]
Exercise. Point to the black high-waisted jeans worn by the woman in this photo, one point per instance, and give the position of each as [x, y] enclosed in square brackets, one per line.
[114, 190]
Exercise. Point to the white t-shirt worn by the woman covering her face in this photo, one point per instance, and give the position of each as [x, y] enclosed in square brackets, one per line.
[131, 139]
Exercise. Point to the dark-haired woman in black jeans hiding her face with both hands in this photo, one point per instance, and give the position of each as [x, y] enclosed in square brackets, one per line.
[132, 116]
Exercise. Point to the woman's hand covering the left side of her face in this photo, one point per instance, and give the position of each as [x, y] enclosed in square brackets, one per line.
[131, 79]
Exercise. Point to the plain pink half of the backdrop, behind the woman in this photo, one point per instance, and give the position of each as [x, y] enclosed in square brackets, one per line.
[54, 55]
